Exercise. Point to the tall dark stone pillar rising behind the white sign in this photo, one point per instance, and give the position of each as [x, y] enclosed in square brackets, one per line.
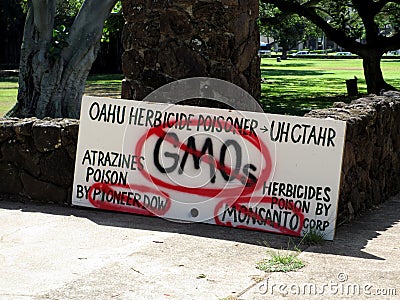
[168, 40]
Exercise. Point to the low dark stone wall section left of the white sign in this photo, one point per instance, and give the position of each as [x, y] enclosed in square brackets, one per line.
[37, 158]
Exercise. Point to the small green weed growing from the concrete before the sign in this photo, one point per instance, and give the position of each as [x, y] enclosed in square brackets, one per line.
[280, 263]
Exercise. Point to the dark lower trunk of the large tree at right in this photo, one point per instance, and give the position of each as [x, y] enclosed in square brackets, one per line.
[373, 74]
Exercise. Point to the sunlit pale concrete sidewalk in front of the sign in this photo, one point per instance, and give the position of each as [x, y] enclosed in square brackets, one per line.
[49, 252]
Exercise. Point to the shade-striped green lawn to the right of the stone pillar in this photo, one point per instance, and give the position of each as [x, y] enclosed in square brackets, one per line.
[295, 86]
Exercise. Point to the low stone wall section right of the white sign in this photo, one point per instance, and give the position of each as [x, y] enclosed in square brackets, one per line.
[371, 160]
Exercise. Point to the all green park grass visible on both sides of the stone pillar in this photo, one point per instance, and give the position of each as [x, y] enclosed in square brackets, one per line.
[293, 86]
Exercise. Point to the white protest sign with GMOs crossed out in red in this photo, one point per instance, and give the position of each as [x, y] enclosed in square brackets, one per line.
[241, 169]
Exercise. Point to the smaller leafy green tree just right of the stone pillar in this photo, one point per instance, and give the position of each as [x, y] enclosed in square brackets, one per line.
[288, 30]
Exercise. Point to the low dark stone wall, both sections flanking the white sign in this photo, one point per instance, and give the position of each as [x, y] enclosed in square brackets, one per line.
[37, 156]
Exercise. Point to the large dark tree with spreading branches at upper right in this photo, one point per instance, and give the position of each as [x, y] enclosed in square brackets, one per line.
[355, 25]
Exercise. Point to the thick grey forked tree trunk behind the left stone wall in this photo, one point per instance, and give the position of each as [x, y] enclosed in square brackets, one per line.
[56, 60]
